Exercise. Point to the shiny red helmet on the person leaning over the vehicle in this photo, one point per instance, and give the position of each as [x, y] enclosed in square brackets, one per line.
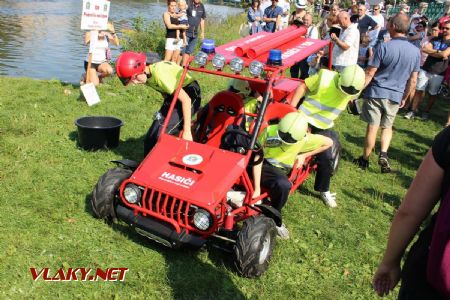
[129, 64]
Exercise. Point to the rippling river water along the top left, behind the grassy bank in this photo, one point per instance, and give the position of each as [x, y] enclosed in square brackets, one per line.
[43, 40]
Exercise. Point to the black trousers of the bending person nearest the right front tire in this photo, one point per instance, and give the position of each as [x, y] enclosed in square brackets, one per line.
[278, 184]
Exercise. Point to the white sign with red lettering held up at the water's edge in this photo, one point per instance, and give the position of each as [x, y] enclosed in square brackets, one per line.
[95, 14]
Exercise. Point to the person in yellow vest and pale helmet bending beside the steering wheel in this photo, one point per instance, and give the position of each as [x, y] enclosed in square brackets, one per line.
[284, 144]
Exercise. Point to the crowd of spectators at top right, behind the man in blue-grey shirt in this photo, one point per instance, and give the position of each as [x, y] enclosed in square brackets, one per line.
[356, 32]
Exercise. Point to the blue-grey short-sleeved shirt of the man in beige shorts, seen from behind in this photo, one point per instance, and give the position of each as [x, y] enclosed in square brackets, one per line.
[395, 61]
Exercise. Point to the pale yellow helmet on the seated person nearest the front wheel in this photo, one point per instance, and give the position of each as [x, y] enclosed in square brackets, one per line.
[293, 127]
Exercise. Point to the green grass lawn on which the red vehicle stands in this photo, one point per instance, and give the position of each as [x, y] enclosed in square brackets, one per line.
[46, 219]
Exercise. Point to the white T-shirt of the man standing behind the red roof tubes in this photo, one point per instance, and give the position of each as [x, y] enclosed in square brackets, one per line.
[349, 36]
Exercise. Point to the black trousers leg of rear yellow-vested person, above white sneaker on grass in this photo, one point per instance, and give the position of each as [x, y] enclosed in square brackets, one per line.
[324, 160]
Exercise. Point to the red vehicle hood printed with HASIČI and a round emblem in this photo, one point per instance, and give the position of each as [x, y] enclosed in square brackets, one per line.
[198, 173]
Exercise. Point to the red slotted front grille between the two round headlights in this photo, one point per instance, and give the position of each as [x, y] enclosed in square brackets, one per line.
[167, 208]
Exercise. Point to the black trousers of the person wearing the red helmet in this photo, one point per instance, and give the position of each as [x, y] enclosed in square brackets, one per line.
[176, 121]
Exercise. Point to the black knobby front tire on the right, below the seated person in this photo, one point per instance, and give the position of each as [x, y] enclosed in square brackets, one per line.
[254, 245]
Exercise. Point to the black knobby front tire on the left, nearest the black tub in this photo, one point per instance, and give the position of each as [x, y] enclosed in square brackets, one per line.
[106, 190]
